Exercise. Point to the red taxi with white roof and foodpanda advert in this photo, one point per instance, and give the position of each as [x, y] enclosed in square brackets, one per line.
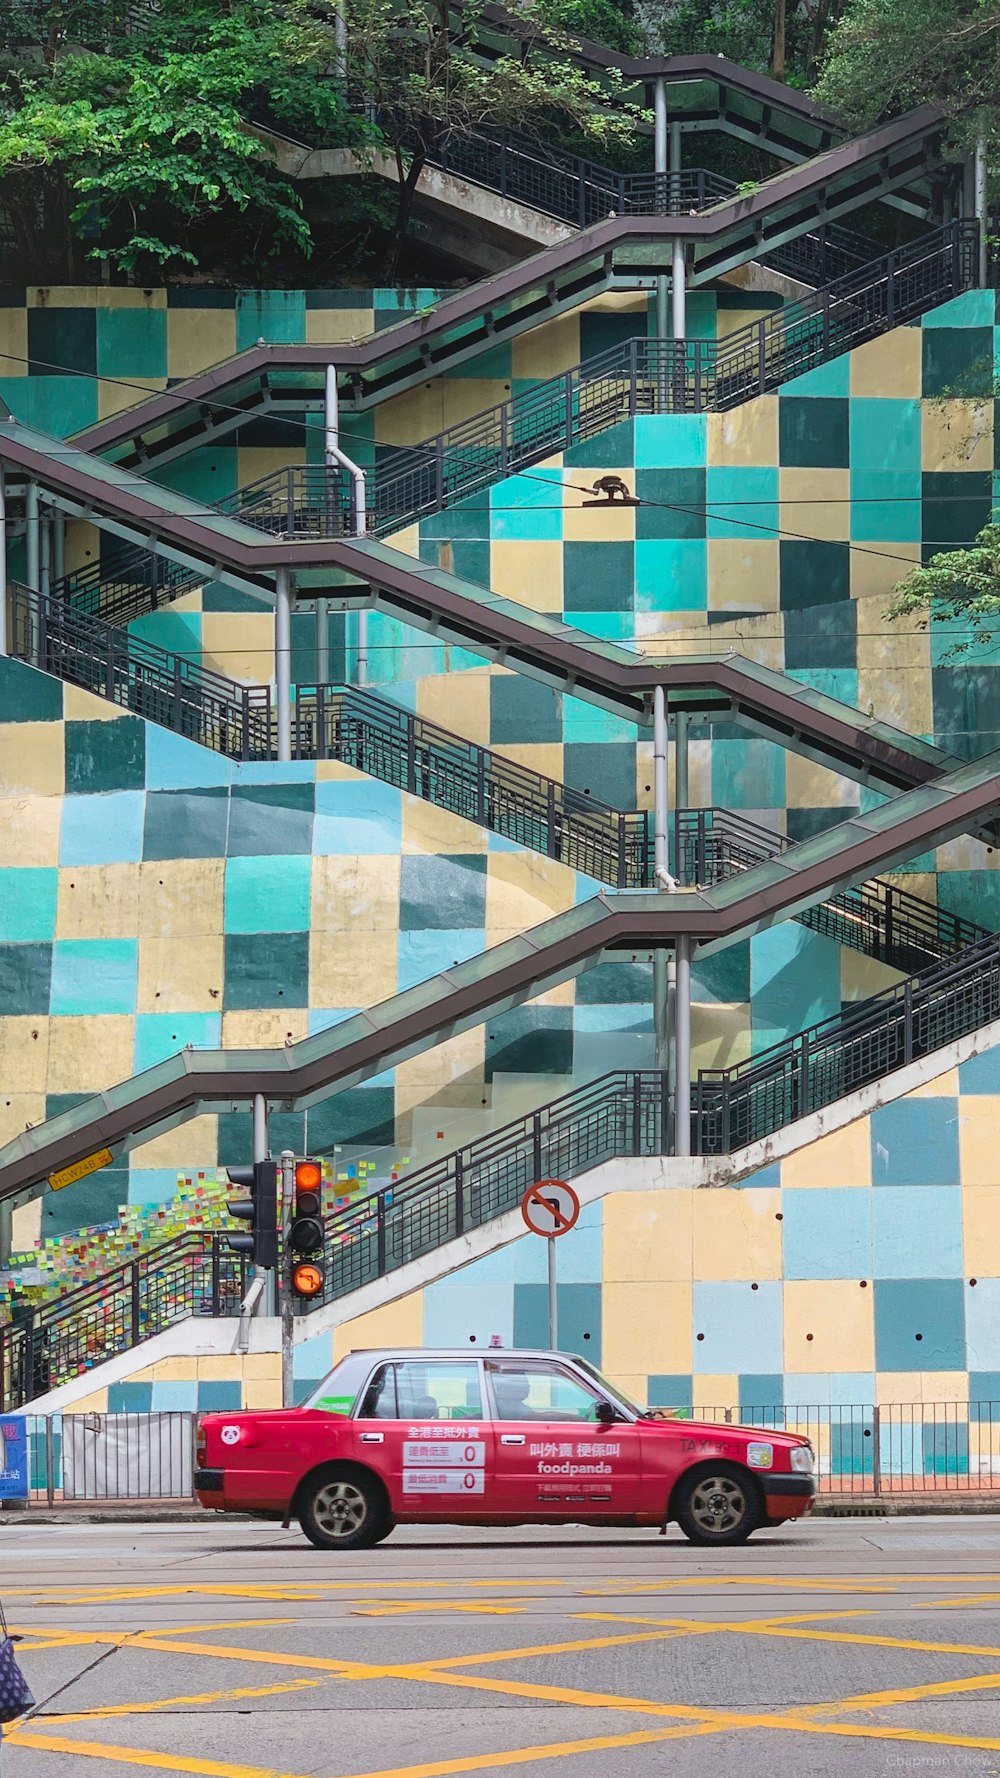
[510, 1438]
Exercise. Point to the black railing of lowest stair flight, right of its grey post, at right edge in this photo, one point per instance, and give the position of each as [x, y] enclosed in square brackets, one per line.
[851, 1050]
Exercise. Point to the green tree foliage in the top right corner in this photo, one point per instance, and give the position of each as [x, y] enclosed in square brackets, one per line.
[889, 56]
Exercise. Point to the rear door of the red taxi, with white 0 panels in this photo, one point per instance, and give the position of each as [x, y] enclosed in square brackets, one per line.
[421, 1427]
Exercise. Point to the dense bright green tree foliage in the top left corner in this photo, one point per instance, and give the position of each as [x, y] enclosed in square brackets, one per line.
[124, 131]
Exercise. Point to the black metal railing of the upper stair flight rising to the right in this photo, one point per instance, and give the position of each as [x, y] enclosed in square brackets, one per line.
[634, 378]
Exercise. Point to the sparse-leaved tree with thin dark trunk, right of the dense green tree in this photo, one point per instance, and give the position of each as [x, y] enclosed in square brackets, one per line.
[428, 86]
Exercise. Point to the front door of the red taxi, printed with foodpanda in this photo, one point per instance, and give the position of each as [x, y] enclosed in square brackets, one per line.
[554, 1459]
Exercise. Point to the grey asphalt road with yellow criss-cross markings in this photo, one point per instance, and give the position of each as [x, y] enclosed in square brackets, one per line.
[238, 1651]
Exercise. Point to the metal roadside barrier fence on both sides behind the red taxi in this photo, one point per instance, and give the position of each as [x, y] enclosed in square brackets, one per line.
[866, 1454]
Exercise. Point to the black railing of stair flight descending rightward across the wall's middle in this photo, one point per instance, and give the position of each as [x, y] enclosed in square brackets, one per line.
[373, 735]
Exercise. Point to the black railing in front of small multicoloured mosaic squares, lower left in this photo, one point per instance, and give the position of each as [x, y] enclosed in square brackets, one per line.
[60, 1342]
